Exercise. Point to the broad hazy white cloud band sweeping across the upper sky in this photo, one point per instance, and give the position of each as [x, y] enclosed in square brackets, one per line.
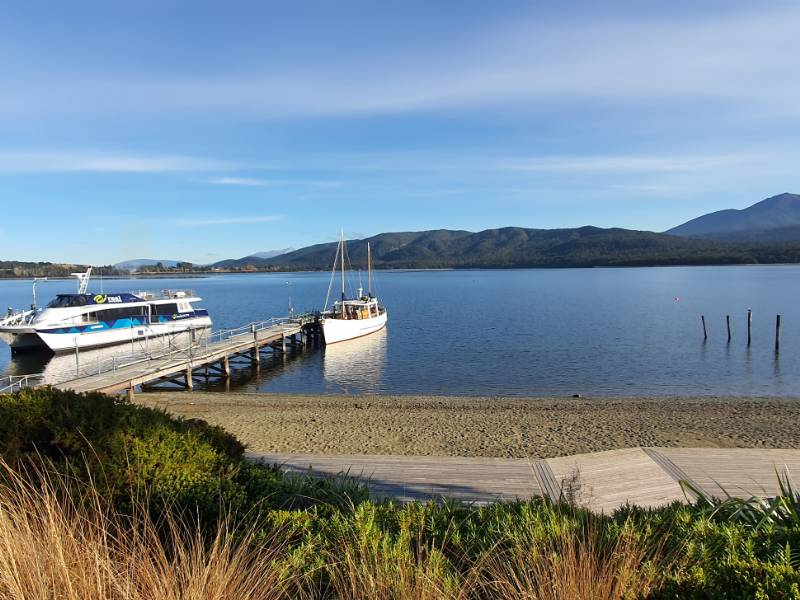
[741, 56]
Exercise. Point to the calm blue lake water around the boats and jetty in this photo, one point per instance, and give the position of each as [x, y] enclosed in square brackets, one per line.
[513, 332]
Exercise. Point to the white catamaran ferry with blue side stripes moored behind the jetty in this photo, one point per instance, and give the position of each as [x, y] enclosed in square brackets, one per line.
[85, 320]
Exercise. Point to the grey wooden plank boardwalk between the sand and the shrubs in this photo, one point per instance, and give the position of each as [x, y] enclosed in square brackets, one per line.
[602, 481]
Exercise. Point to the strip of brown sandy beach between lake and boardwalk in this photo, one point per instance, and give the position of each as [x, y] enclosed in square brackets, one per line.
[491, 427]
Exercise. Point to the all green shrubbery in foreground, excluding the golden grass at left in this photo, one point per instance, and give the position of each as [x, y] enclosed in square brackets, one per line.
[329, 529]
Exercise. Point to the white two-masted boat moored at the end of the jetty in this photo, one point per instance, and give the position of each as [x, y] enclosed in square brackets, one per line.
[354, 317]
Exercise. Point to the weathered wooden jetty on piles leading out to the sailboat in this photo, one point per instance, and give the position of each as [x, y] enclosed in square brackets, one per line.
[212, 356]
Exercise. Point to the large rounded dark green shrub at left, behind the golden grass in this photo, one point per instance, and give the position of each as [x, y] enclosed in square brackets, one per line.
[130, 450]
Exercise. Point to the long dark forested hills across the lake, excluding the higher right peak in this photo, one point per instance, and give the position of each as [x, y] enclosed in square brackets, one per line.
[518, 247]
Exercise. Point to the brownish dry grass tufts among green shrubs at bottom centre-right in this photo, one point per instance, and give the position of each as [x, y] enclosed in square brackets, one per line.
[585, 562]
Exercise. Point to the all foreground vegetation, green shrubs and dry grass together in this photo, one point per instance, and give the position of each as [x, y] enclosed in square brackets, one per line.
[181, 492]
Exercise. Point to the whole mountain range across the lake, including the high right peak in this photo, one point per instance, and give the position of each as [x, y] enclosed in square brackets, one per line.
[766, 232]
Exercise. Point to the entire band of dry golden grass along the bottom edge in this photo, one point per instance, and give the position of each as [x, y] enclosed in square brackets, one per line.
[61, 540]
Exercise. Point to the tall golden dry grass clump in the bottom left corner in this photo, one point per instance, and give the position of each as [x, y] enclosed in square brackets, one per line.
[55, 543]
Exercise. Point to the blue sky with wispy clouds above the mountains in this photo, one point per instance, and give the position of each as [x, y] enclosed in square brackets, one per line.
[201, 131]
